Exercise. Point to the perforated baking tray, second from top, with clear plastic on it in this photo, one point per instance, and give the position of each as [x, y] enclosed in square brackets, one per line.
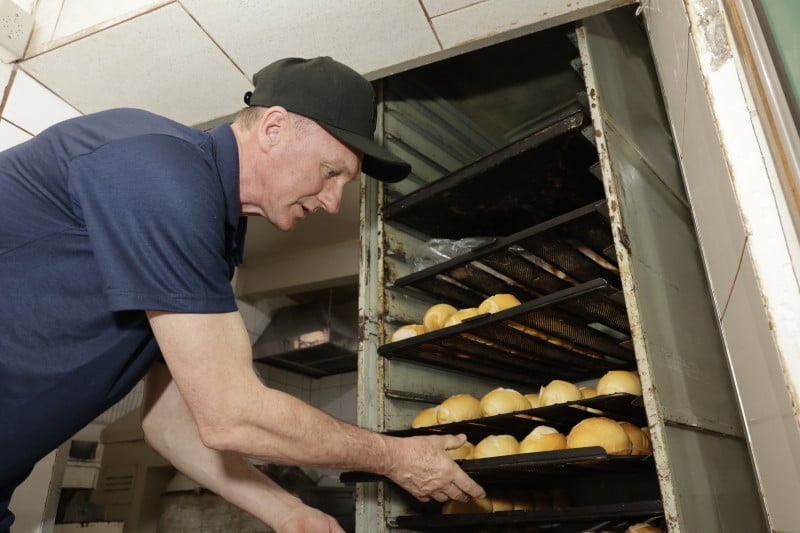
[559, 253]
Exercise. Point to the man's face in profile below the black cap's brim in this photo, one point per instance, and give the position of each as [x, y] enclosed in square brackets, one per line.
[302, 174]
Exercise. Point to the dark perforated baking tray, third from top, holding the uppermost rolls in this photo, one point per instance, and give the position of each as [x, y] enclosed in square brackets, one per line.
[574, 334]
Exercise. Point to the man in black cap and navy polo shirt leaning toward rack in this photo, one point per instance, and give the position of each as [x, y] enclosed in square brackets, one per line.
[119, 235]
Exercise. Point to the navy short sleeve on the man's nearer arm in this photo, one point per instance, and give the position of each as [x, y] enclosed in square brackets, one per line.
[154, 210]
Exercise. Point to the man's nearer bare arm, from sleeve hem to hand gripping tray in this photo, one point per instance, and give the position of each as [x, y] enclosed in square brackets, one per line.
[210, 359]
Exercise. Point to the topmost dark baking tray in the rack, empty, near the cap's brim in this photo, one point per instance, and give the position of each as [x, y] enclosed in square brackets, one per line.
[536, 178]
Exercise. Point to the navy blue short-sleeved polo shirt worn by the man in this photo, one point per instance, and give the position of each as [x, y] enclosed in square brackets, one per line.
[103, 217]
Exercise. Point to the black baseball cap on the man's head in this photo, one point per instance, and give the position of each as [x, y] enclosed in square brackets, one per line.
[337, 98]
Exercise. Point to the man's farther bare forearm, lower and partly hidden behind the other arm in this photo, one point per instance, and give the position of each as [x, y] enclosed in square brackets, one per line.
[170, 429]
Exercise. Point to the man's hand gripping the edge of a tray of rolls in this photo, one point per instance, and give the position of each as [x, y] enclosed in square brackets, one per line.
[422, 466]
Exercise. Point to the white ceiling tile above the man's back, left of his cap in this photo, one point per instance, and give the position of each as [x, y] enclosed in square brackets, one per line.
[161, 61]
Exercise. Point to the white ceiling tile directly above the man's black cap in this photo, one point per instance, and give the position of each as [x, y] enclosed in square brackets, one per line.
[366, 34]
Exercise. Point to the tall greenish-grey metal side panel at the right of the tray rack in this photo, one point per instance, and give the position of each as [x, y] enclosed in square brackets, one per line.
[688, 393]
